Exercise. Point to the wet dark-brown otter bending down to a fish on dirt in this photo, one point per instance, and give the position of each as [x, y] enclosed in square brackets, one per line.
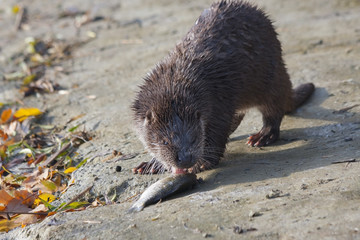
[191, 102]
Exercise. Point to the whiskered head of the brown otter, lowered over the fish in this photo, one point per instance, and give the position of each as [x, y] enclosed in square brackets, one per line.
[175, 140]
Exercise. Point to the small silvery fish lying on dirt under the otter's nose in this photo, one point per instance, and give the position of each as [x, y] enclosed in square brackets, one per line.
[162, 189]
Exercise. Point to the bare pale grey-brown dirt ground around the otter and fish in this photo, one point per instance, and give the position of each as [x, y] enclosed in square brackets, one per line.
[316, 198]
